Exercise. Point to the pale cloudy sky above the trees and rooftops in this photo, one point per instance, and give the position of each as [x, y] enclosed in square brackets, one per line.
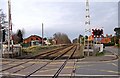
[67, 16]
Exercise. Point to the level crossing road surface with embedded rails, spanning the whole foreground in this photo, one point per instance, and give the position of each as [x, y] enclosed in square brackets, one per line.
[30, 68]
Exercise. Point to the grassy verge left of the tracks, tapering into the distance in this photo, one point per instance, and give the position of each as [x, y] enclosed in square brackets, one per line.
[35, 50]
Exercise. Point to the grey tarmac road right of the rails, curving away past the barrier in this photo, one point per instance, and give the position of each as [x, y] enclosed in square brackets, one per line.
[107, 65]
